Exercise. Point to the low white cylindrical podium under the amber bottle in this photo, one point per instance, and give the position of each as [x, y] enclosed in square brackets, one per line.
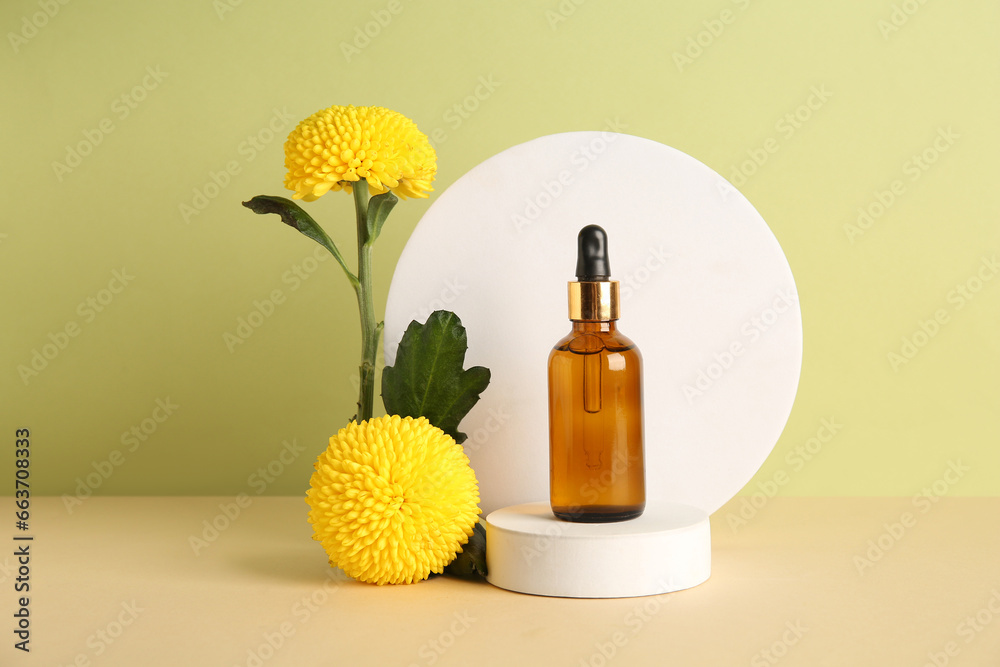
[529, 550]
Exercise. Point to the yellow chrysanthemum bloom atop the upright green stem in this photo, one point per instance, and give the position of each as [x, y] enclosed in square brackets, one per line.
[336, 147]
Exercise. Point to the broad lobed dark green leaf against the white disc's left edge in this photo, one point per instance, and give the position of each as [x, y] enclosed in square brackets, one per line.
[428, 379]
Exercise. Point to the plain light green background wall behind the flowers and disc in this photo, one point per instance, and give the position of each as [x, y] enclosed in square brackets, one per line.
[210, 86]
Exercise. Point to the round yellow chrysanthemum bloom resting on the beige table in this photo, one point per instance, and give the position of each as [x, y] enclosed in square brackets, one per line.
[392, 500]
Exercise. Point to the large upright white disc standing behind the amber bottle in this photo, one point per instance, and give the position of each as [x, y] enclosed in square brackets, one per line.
[707, 296]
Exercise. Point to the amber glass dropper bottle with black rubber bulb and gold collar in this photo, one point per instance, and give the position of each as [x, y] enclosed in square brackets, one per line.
[596, 470]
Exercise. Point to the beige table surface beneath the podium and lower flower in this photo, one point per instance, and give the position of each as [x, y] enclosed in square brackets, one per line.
[117, 582]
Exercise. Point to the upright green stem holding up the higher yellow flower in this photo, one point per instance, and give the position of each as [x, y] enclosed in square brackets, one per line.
[370, 331]
